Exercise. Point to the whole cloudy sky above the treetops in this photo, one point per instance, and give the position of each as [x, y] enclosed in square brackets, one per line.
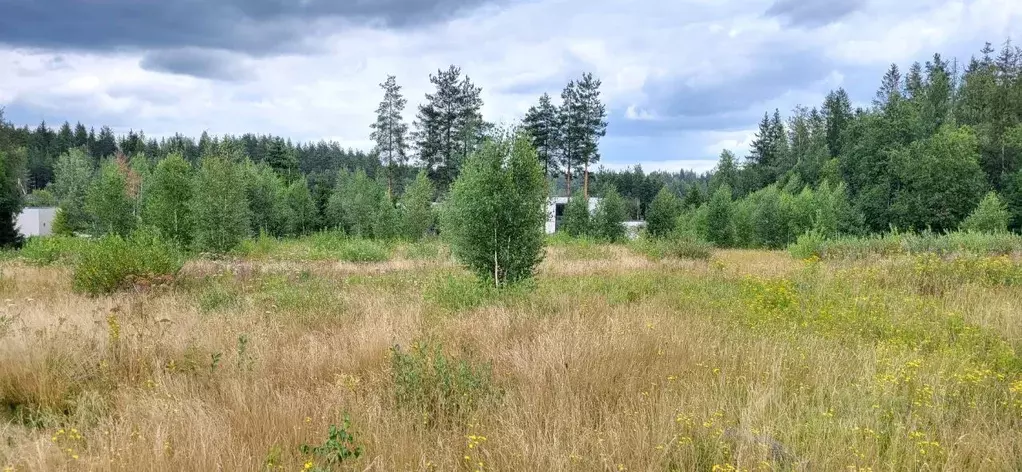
[682, 79]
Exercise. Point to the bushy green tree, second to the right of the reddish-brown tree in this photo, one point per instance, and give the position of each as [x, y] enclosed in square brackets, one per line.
[220, 207]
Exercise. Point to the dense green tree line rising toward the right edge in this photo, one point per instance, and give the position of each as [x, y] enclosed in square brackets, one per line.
[940, 149]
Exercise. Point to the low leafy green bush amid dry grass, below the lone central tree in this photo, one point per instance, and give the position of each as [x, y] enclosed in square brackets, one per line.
[443, 389]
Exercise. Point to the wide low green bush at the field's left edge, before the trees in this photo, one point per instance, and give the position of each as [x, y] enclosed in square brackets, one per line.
[112, 263]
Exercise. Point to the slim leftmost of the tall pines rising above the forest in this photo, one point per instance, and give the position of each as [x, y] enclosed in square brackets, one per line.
[390, 131]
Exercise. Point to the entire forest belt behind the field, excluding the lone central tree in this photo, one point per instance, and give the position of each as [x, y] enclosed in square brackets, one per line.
[938, 139]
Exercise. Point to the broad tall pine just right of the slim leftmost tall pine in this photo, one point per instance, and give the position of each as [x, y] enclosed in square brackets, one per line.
[449, 126]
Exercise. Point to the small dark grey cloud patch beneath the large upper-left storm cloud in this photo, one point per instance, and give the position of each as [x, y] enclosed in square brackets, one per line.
[203, 64]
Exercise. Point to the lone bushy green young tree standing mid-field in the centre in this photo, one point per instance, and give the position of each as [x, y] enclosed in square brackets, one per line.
[495, 214]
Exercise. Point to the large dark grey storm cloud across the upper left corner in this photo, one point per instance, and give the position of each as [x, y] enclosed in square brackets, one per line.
[250, 26]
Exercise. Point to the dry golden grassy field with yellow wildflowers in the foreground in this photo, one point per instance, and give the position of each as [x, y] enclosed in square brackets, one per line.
[286, 359]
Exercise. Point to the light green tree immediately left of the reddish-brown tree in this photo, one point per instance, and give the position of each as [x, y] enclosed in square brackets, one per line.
[110, 207]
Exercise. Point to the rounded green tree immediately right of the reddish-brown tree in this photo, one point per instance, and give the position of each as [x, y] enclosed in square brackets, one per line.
[169, 206]
